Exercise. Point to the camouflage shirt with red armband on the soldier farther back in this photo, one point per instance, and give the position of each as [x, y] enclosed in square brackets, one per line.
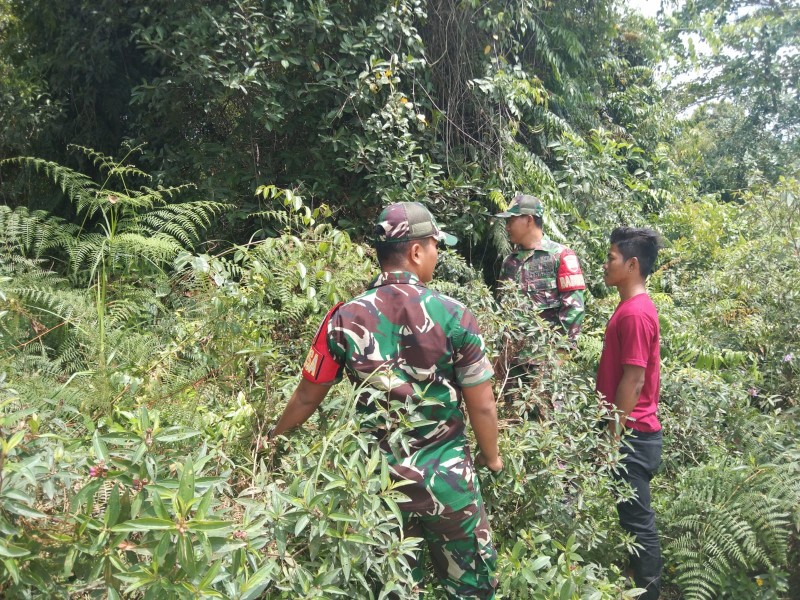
[551, 275]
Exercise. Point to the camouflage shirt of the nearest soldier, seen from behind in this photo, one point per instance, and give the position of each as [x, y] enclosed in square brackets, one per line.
[421, 347]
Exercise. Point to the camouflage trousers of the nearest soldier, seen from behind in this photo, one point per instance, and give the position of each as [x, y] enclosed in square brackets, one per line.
[460, 548]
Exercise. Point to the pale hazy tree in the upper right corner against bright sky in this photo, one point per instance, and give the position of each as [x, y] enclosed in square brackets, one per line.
[743, 53]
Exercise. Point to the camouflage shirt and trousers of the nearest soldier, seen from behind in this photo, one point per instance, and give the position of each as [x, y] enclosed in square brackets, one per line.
[420, 347]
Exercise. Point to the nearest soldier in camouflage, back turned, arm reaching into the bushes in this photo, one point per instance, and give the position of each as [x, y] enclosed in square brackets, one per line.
[418, 345]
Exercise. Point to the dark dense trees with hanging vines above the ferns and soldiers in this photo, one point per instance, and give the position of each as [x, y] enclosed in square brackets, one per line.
[382, 101]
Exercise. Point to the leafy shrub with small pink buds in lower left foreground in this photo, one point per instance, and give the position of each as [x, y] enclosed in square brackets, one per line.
[132, 507]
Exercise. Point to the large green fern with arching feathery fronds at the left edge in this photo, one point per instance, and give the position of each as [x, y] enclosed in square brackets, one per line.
[125, 234]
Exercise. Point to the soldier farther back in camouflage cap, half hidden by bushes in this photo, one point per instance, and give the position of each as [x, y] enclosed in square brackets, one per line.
[547, 271]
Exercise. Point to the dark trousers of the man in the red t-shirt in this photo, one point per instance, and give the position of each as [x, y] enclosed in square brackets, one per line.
[635, 516]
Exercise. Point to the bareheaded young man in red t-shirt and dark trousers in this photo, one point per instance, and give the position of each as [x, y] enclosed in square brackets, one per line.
[629, 379]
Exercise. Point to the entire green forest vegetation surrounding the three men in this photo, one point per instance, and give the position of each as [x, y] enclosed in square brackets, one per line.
[187, 187]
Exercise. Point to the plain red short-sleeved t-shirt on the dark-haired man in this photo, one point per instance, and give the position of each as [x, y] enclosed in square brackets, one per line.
[632, 338]
